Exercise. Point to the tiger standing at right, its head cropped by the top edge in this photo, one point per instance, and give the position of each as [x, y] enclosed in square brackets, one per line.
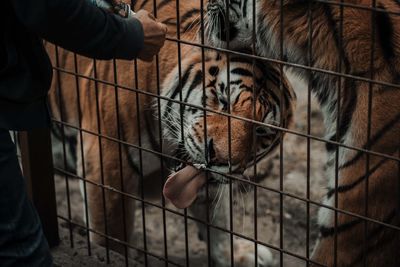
[354, 42]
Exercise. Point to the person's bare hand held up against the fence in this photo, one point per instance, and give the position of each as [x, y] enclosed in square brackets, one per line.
[154, 35]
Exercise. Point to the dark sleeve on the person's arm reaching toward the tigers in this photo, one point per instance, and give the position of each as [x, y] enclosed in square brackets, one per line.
[81, 27]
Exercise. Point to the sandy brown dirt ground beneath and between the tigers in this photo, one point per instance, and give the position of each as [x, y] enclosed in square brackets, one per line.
[268, 217]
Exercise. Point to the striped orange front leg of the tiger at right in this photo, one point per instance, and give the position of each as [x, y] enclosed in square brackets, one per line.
[374, 197]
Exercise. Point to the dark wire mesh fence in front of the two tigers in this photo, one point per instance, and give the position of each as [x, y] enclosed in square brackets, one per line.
[219, 96]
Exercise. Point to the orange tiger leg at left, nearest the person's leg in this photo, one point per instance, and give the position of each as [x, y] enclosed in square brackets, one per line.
[106, 208]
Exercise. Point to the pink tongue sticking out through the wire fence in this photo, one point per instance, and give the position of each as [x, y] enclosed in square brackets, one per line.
[181, 187]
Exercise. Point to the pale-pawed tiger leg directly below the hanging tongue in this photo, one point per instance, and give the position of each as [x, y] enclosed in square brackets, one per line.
[220, 241]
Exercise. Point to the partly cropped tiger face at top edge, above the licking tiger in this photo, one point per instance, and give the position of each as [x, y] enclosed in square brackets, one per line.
[236, 29]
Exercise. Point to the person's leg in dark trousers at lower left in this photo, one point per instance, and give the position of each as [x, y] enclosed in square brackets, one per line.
[22, 242]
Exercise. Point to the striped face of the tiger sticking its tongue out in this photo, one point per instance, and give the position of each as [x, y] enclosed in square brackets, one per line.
[210, 136]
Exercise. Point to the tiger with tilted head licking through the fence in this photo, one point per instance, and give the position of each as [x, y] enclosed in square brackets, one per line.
[108, 108]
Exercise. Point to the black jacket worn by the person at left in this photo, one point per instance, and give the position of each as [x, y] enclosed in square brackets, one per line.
[25, 69]
